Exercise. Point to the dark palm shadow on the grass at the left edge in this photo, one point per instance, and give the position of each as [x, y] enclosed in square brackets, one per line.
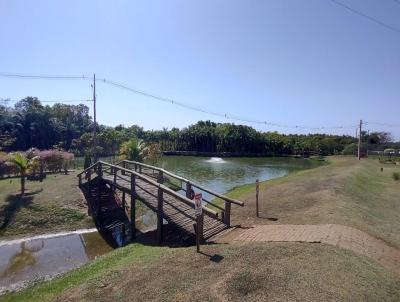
[13, 204]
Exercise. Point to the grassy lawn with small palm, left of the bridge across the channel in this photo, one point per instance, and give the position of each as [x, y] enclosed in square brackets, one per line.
[49, 206]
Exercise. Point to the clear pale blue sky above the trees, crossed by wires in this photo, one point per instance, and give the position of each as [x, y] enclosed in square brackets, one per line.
[288, 62]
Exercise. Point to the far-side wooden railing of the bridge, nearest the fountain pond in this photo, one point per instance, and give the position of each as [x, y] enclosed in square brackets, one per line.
[183, 184]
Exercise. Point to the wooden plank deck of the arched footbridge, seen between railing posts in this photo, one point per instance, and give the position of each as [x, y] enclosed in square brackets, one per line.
[174, 211]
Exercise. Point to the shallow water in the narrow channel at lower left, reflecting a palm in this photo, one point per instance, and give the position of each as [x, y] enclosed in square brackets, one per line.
[43, 258]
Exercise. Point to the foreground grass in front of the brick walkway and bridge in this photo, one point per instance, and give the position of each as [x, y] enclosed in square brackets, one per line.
[257, 272]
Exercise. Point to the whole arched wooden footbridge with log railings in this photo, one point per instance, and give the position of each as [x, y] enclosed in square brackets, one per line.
[165, 193]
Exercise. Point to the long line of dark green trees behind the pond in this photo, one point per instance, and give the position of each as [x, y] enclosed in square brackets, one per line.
[29, 124]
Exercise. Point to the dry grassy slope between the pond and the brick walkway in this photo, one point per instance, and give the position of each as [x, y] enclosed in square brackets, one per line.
[347, 191]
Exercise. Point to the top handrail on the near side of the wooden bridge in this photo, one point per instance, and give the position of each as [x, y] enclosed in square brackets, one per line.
[155, 183]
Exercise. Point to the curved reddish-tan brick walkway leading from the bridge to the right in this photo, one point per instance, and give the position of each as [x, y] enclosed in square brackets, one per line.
[337, 235]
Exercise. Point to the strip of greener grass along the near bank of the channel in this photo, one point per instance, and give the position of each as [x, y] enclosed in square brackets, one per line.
[91, 274]
